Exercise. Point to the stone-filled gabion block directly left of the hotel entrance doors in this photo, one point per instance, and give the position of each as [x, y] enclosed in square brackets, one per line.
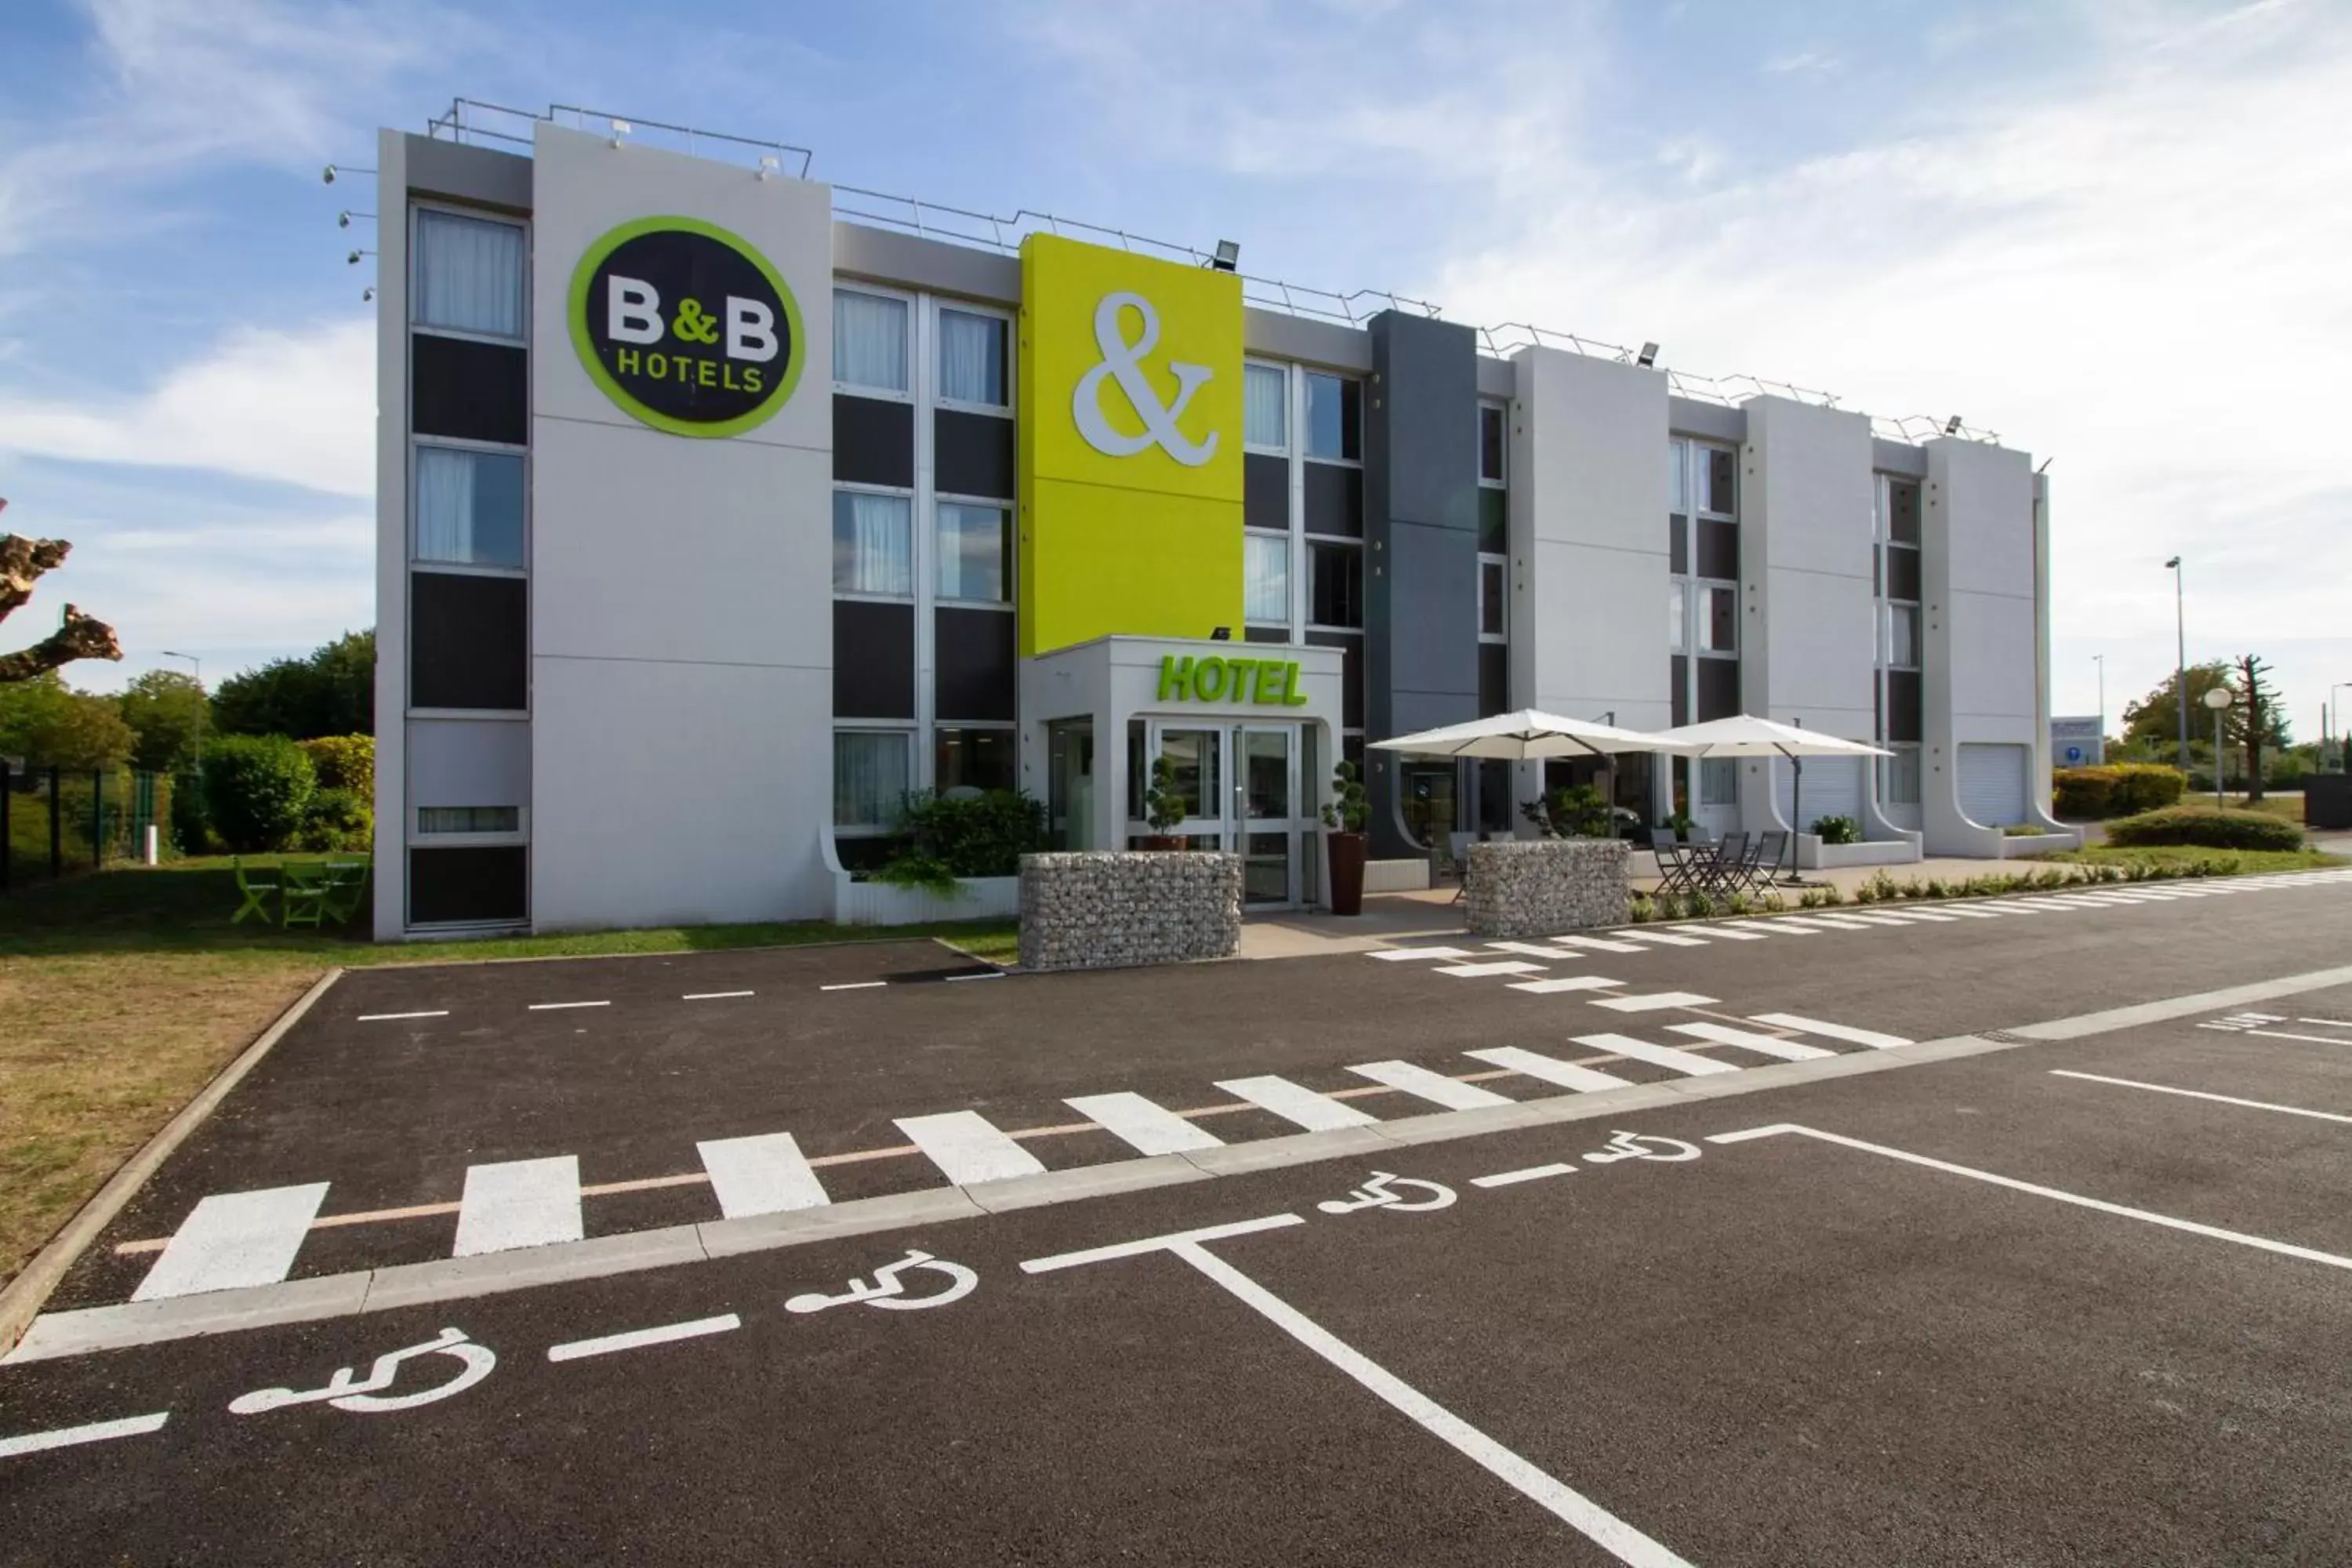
[1118, 909]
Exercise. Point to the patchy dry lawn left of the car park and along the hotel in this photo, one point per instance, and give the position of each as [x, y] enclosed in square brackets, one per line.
[126, 993]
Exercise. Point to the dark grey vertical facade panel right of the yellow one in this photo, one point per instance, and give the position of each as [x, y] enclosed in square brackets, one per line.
[1422, 509]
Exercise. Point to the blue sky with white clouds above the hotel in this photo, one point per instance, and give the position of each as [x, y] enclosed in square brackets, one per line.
[2111, 232]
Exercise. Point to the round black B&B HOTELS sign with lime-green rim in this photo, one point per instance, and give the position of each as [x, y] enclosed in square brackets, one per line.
[686, 328]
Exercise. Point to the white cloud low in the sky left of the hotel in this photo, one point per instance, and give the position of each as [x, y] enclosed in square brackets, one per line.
[298, 408]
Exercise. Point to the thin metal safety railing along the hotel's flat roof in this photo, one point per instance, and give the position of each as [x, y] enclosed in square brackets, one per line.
[474, 121]
